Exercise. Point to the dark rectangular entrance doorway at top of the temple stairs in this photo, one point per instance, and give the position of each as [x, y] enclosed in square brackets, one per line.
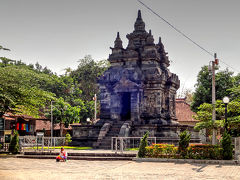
[126, 106]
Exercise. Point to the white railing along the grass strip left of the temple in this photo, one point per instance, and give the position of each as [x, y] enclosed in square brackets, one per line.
[40, 143]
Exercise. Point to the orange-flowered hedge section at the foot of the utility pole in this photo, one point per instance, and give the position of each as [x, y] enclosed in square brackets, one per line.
[204, 151]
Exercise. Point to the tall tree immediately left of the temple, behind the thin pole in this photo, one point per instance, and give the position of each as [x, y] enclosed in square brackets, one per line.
[85, 84]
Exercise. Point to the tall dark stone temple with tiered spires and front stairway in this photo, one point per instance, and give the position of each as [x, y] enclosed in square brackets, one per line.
[137, 93]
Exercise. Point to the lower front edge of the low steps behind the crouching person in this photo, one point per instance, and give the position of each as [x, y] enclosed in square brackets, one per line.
[78, 158]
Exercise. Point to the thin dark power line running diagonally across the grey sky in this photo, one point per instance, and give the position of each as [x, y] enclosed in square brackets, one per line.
[184, 35]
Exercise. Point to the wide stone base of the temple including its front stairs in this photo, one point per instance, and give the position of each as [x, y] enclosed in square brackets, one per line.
[99, 136]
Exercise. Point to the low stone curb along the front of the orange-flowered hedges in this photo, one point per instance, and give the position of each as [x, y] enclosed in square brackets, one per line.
[196, 161]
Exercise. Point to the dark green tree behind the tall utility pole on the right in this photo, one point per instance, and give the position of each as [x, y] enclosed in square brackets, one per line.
[203, 92]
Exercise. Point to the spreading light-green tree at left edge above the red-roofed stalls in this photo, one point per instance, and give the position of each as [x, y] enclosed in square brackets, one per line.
[21, 92]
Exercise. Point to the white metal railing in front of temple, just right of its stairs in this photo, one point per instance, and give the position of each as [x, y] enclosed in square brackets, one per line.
[125, 143]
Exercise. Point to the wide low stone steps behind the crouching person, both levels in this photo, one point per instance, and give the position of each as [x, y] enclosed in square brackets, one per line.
[80, 156]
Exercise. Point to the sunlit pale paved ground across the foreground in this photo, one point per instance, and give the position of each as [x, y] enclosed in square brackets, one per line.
[21, 169]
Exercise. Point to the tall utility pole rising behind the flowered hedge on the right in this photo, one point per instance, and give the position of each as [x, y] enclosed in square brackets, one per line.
[215, 62]
